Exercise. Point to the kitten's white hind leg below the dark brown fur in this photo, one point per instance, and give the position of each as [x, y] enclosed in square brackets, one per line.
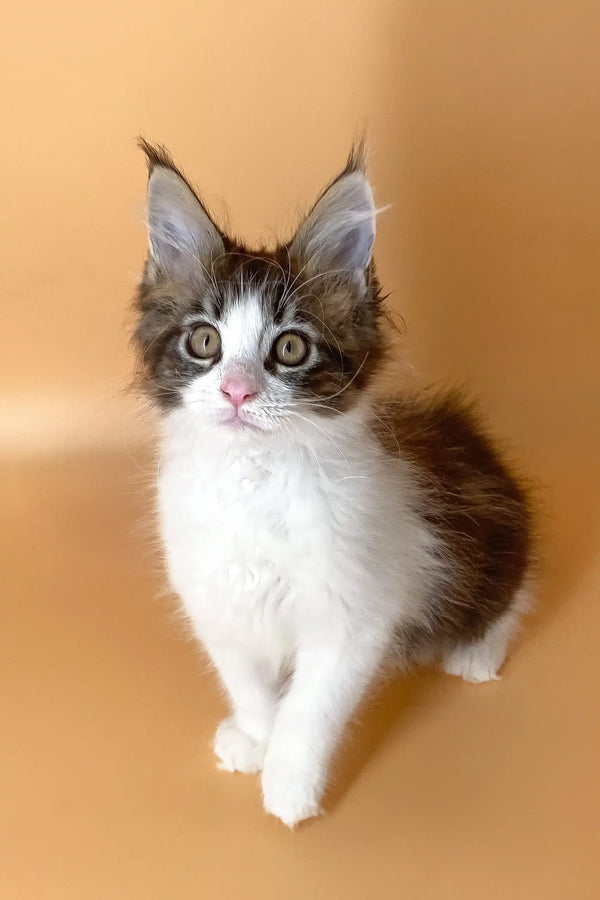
[481, 660]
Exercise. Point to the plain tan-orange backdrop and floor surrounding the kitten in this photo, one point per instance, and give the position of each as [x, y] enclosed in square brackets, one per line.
[484, 120]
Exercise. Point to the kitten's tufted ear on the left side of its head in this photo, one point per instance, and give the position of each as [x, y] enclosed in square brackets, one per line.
[180, 231]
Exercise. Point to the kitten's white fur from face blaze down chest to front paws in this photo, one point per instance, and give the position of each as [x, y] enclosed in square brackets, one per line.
[296, 547]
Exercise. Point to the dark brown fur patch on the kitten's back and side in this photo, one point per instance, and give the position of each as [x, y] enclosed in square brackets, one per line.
[474, 505]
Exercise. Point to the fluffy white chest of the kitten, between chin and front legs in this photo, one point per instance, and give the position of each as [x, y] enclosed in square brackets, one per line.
[266, 539]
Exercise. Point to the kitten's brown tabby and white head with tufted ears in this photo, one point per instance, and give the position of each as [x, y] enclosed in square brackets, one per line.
[264, 340]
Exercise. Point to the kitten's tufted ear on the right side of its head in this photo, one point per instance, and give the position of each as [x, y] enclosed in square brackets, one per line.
[339, 232]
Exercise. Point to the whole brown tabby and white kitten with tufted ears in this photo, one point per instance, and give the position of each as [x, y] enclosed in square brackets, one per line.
[313, 533]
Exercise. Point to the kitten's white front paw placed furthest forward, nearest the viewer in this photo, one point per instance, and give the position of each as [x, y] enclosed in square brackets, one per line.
[290, 795]
